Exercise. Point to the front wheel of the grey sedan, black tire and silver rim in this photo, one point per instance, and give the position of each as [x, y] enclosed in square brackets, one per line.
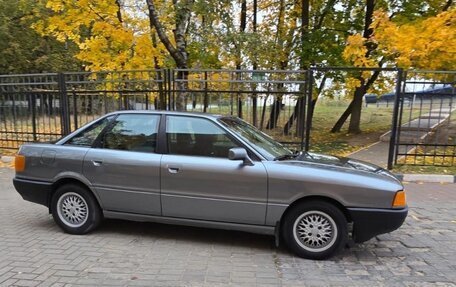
[322, 226]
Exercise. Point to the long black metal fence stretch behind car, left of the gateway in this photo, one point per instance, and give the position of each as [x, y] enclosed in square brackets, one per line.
[43, 107]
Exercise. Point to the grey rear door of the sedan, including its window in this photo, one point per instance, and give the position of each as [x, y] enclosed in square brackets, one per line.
[125, 168]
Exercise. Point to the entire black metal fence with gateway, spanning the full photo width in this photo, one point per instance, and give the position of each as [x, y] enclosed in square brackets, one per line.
[43, 107]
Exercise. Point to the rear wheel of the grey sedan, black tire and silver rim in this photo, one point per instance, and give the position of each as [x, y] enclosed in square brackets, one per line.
[75, 209]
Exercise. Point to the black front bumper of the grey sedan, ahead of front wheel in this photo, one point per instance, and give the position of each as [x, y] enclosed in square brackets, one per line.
[368, 223]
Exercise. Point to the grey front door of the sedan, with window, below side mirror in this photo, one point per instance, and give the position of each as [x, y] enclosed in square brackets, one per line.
[198, 181]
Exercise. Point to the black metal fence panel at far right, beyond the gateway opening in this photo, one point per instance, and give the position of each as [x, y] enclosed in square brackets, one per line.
[425, 131]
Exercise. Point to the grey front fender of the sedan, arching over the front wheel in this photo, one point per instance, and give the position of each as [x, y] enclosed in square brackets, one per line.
[291, 181]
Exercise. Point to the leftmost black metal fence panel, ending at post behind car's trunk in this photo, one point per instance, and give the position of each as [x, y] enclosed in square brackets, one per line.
[29, 109]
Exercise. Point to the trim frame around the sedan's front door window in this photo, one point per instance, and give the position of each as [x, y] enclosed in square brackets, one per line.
[251, 154]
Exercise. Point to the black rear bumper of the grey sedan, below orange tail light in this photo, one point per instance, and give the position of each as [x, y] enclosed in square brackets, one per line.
[34, 191]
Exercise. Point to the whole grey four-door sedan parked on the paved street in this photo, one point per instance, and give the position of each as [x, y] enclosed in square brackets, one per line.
[209, 171]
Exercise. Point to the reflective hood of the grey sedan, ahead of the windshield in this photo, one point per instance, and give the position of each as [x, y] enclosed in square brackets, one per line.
[344, 162]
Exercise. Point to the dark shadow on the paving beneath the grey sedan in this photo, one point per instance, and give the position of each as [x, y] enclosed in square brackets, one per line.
[147, 233]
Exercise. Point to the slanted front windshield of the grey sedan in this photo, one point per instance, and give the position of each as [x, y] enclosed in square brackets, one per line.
[258, 140]
